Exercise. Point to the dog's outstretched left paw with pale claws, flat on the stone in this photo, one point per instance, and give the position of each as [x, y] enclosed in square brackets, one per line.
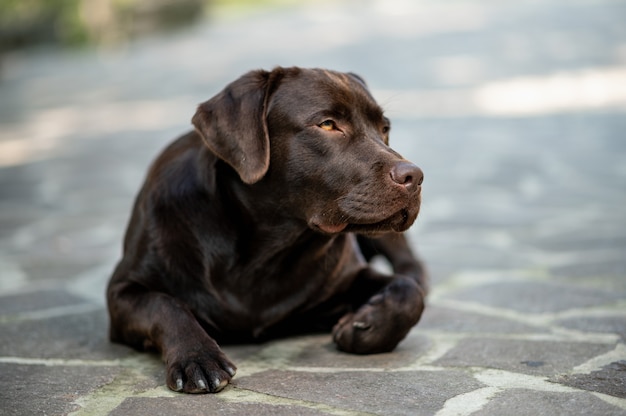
[200, 369]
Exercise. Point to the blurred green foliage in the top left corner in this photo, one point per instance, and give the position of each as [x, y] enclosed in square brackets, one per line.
[80, 22]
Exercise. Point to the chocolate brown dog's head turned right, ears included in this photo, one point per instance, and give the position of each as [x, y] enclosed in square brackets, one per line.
[320, 143]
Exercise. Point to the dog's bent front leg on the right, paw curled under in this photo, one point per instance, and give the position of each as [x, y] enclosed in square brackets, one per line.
[395, 303]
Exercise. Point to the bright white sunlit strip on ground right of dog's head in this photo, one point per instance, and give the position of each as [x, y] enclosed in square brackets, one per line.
[561, 92]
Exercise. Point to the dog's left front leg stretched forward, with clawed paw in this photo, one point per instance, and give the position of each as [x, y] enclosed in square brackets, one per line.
[153, 320]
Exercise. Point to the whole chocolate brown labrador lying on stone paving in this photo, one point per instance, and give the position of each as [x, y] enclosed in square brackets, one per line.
[261, 222]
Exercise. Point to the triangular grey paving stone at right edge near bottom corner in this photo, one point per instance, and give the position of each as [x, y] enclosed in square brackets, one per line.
[611, 380]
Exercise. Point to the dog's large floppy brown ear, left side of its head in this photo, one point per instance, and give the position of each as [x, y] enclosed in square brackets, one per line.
[233, 125]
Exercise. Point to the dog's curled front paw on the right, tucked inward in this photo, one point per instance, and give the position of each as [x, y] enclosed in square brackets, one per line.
[380, 324]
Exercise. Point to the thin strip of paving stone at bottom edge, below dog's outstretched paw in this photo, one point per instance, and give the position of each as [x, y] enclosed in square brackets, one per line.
[204, 405]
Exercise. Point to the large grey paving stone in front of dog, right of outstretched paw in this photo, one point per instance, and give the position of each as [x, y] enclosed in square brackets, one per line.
[384, 393]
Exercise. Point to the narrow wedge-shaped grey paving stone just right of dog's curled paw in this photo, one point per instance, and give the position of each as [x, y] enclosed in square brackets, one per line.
[451, 320]
